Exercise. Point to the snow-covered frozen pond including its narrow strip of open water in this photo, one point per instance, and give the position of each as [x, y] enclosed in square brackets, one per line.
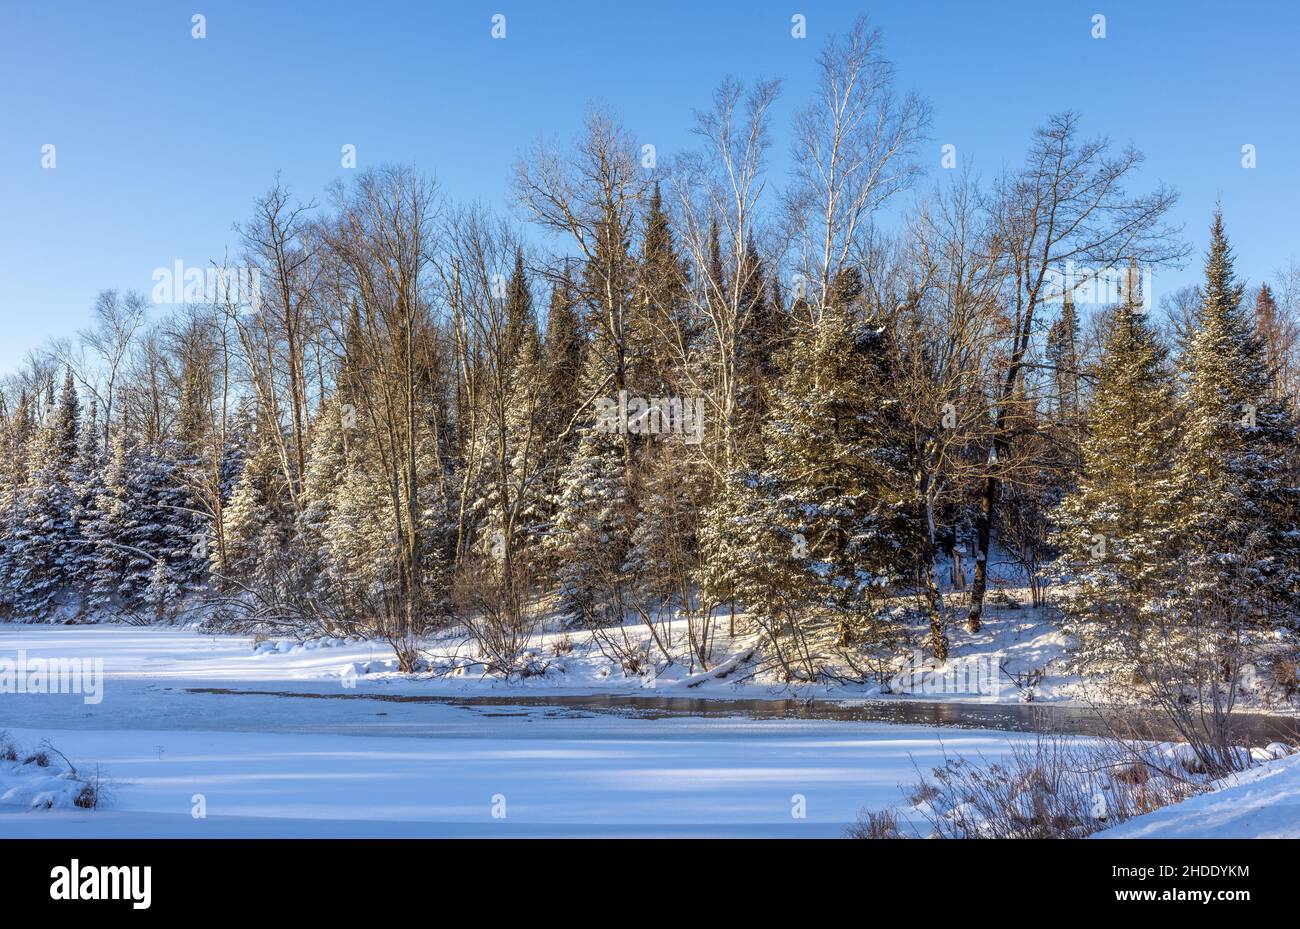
[274, 746]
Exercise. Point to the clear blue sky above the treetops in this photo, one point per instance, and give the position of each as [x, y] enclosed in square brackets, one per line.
[163, 141]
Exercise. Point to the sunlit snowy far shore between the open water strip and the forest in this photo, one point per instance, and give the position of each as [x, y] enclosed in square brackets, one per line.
[1012, 644]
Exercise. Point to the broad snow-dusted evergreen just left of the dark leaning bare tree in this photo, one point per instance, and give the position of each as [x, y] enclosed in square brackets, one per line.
[834, 527]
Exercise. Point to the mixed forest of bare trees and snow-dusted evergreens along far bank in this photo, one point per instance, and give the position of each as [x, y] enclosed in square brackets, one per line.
[430, 419]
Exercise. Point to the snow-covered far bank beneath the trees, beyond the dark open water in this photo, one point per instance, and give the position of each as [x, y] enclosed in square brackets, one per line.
[1020, 652]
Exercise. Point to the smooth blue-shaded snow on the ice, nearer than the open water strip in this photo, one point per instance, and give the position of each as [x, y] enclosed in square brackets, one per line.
[499, 776]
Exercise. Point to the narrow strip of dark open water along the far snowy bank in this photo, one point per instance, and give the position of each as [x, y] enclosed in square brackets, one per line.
[1255, 728]
